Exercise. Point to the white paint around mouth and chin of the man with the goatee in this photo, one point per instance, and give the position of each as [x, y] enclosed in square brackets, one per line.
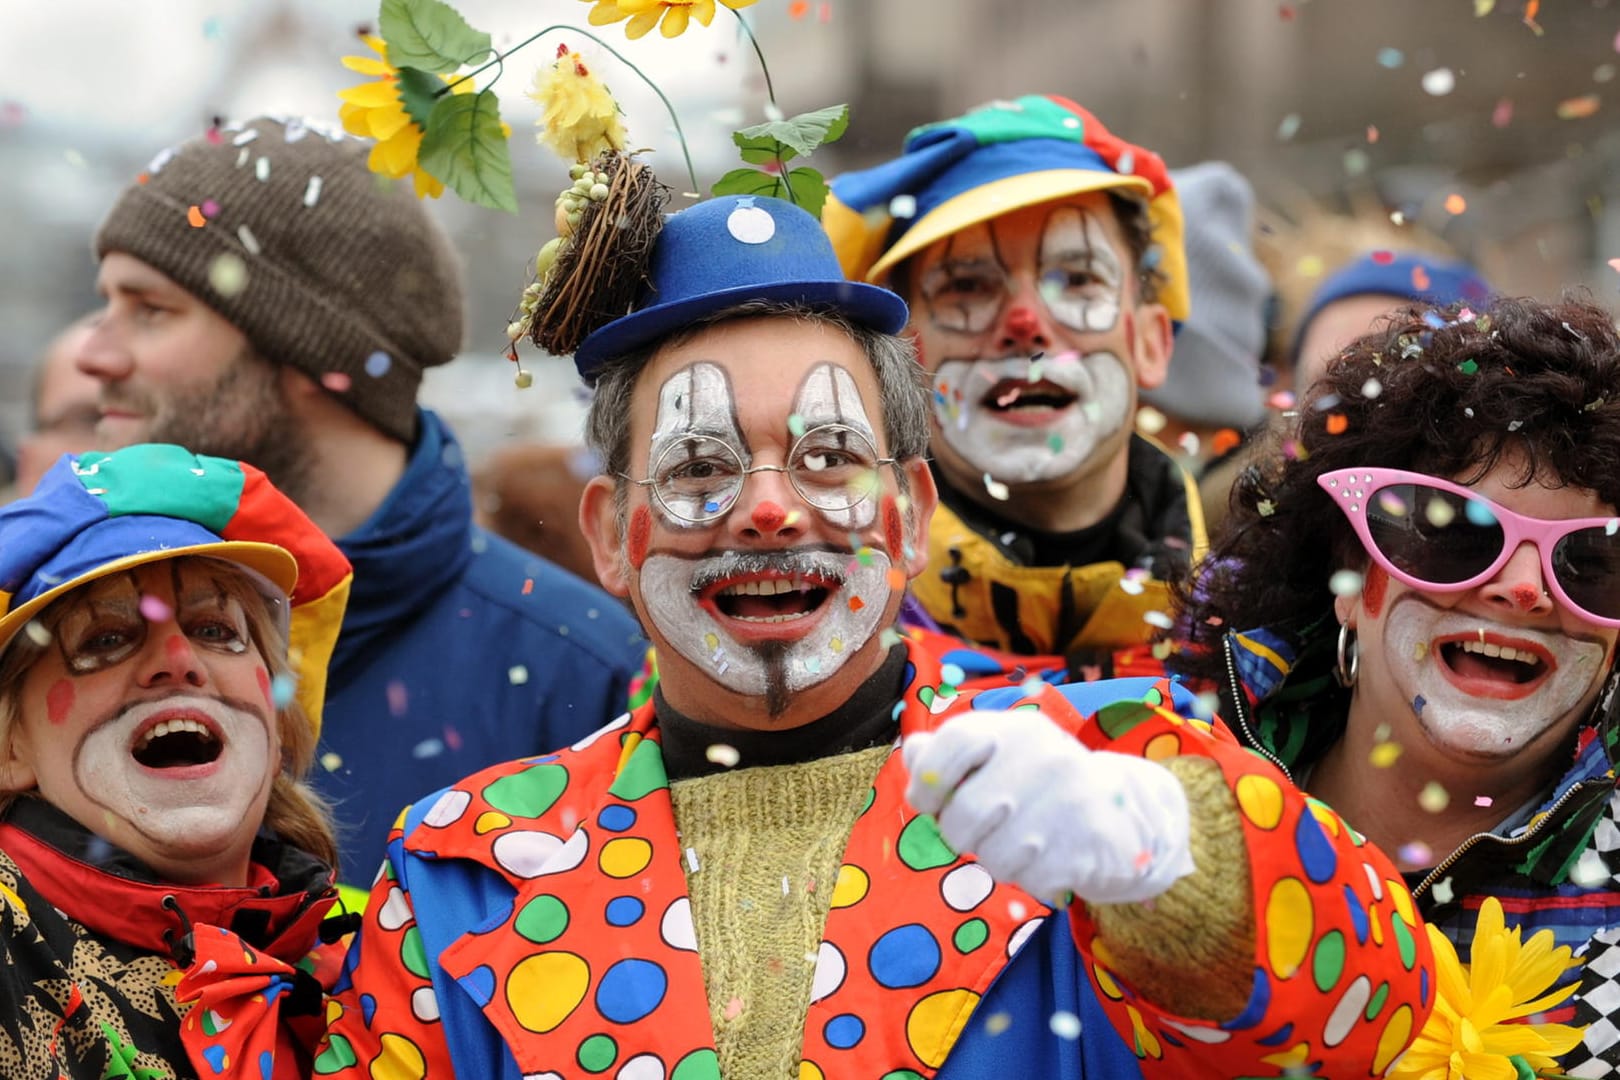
[793, 661]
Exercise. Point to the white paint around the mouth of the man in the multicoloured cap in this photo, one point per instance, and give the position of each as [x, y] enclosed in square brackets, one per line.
[1033, 453]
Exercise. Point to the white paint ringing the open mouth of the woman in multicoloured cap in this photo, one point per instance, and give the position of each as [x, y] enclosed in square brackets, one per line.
[194, 810]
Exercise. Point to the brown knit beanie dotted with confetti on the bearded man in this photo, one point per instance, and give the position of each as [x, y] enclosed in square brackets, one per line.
[325, 266]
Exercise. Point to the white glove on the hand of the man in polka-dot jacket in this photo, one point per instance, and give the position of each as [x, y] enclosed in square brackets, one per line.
[1042, 812]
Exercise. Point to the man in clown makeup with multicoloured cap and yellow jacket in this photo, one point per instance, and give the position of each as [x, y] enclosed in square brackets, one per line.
[1044, 273]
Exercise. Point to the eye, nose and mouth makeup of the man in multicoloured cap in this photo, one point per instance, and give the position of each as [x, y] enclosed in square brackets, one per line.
[1028, 419]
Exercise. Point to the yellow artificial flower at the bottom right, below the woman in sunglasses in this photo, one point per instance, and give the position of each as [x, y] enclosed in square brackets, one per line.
[1478, 1026]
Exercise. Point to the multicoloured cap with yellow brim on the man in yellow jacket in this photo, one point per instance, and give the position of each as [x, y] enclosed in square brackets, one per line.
[989, 163]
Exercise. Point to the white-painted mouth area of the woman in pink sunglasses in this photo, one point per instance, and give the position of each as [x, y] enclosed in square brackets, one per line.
[1481, 689]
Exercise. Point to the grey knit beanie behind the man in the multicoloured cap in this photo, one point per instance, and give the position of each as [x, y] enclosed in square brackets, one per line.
[1216, 367]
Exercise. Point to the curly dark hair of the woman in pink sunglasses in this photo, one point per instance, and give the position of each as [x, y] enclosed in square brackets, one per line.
[1446, 393]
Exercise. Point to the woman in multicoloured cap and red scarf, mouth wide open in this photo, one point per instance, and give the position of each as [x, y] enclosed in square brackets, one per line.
[166, 623]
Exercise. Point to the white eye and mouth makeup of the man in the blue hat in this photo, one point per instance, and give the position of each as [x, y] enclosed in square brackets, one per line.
[770, 623]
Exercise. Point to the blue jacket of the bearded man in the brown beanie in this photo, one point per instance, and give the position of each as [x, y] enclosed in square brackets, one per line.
[459, 650]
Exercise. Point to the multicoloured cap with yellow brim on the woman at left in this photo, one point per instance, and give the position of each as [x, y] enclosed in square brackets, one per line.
[98, 514]
